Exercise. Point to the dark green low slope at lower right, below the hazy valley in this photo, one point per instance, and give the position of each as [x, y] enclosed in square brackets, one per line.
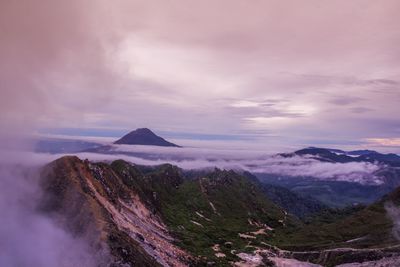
[367, 228]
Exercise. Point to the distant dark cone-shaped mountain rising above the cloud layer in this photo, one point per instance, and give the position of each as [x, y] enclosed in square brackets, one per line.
[144, 136]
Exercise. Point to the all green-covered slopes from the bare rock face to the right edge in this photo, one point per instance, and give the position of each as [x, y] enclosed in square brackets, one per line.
[221, 212]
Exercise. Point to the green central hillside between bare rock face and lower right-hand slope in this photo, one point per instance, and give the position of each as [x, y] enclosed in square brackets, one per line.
[209, 210]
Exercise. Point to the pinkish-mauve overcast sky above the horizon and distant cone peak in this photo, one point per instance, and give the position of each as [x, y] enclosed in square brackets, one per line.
[254, 73]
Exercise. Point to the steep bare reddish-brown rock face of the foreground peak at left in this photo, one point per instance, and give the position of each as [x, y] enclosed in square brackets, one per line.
[92, 202]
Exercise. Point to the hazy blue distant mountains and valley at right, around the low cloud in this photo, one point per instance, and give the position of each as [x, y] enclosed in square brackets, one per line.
[366, 189]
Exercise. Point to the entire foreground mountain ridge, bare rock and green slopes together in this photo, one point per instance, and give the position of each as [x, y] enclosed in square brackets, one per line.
[157, 216]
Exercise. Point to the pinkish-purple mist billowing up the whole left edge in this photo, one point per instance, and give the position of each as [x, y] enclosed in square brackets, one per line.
[48, 54]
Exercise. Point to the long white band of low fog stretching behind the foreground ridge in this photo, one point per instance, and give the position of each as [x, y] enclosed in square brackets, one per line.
[256, 161]
